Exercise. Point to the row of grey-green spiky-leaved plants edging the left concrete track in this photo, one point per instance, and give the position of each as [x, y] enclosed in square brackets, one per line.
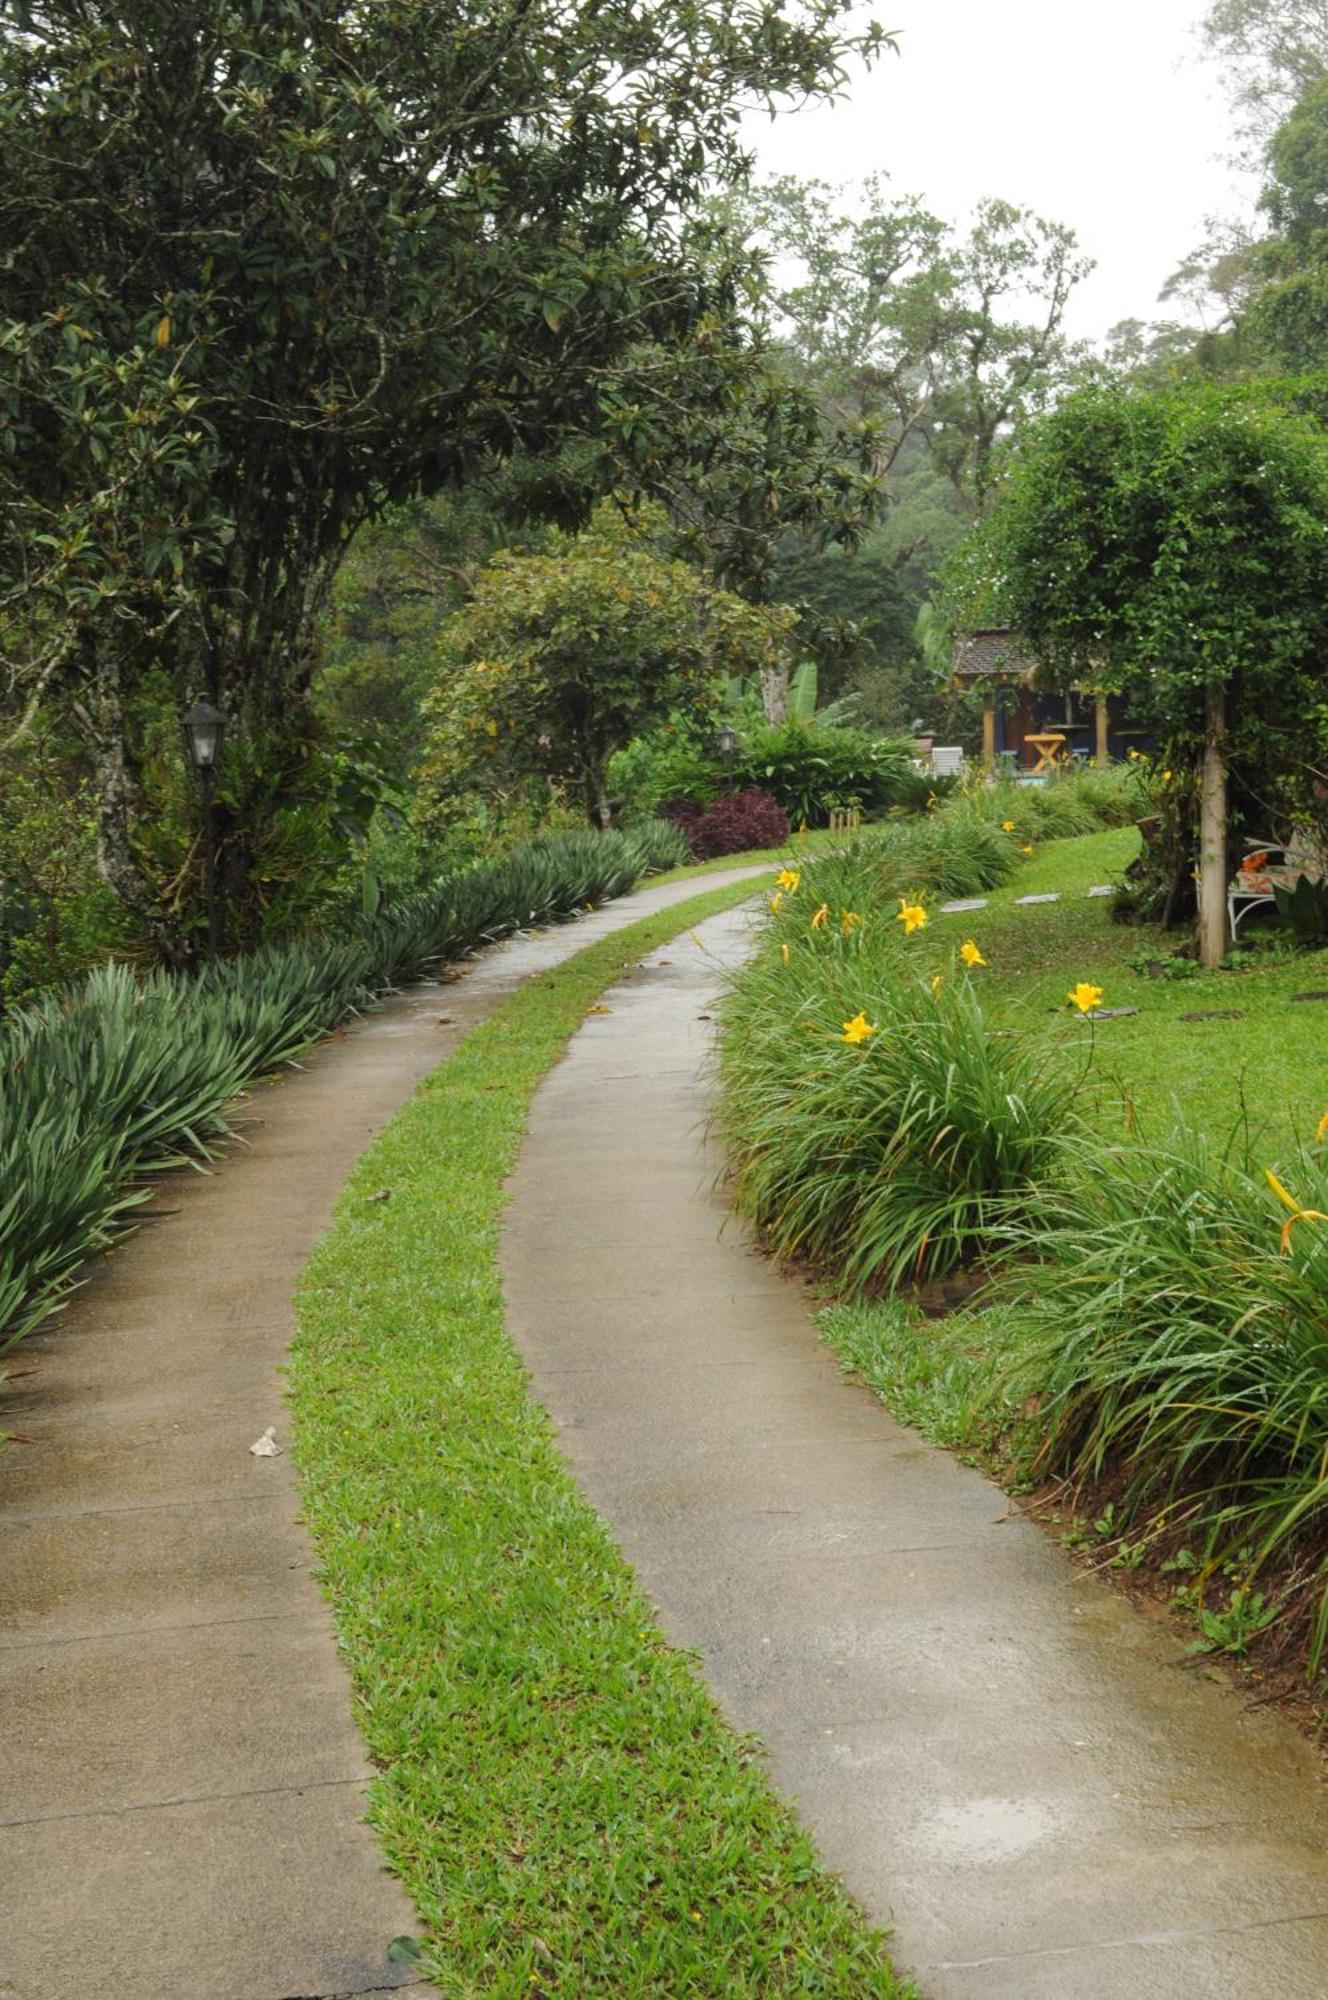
[123, 1077]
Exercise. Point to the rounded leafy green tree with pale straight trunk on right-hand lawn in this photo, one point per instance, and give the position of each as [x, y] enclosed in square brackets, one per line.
[1175, 545]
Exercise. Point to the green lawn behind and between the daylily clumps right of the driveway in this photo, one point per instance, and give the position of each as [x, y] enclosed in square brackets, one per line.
[1263, 1077]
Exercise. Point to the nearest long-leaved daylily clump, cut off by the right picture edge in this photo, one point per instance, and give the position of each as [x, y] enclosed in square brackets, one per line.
[1175, 1329]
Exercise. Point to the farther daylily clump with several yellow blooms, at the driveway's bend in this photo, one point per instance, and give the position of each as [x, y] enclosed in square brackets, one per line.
[917, 1139]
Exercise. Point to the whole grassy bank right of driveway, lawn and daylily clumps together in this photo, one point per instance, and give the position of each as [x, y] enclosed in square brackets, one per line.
[1141, 1195]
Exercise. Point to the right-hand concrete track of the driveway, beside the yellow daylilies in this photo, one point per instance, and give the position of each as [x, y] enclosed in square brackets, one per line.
[997, 1753]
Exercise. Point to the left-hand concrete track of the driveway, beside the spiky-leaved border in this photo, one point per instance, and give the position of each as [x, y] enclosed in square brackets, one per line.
[181, 1781]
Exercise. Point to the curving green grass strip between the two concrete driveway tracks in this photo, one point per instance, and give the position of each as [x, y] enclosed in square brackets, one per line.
[557, 1789]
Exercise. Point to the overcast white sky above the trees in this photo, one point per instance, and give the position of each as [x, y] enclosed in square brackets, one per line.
[1099, 117]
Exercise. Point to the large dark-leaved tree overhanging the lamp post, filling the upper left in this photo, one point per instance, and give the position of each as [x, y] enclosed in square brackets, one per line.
[273, 265]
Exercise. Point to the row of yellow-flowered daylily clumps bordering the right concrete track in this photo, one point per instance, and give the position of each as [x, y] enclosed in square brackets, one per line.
[1161, 1323]
